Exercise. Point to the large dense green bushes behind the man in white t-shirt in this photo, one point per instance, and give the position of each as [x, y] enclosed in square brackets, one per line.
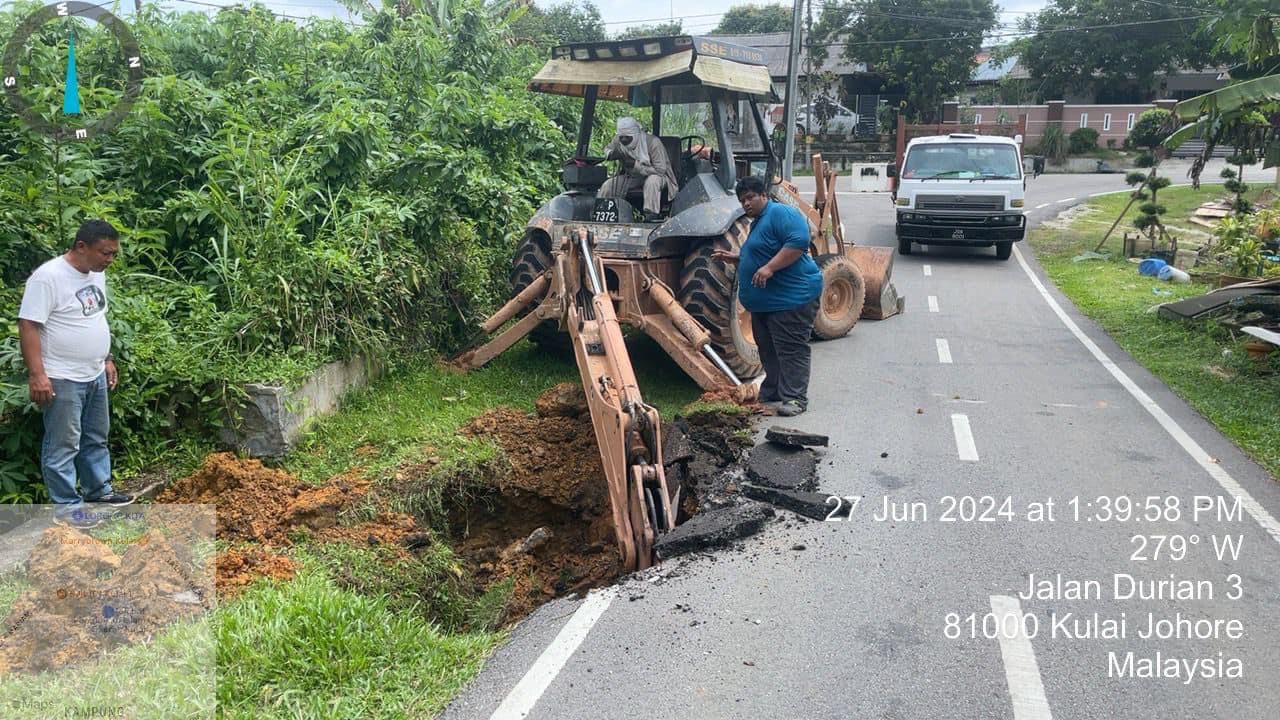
[287, 195]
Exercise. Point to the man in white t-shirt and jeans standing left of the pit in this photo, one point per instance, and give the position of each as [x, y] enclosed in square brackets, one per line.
[67, 347]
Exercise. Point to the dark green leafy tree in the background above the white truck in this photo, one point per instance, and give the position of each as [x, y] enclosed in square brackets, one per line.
[926, 47]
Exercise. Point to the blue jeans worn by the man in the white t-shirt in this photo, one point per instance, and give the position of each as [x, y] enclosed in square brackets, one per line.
[75, 445]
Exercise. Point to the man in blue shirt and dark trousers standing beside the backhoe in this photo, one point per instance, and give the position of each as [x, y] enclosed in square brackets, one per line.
[781, 285]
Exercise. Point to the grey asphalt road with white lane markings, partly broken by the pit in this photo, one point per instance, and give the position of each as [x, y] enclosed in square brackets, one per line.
[857, 625]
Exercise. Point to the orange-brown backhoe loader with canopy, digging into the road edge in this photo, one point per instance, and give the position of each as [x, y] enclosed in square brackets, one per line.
[589, 265]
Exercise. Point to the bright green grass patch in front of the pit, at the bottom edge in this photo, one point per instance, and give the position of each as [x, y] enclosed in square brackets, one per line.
[308, 649]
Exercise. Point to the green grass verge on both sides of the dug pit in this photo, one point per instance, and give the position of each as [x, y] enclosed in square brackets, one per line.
[358, 634]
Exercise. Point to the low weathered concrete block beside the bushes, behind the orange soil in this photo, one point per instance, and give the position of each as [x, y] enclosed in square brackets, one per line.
[268, 421]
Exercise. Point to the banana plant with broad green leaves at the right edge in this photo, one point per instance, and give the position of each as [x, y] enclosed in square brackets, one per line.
[1246, 116]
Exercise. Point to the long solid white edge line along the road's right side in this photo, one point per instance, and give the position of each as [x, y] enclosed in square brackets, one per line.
[1171, 426]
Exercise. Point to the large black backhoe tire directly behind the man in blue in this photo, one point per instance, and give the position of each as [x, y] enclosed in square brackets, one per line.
[708, 291]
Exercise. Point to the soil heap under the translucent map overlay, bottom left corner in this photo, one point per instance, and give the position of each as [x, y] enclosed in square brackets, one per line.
[86, 600]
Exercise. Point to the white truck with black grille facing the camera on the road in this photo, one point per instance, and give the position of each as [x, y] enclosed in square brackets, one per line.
[961, 189]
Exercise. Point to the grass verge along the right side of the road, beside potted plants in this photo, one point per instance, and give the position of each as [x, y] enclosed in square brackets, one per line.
[1203, 363]
